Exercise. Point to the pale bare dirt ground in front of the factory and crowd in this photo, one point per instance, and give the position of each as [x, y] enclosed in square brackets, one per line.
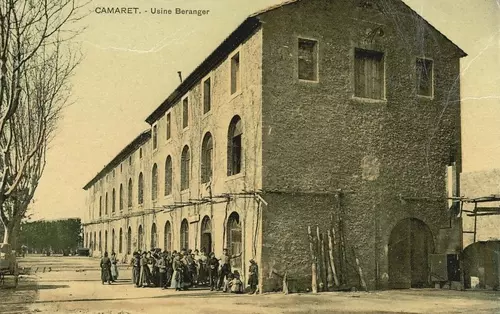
[73, 286]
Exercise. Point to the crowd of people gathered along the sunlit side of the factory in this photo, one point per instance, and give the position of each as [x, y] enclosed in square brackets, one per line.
[182, 270]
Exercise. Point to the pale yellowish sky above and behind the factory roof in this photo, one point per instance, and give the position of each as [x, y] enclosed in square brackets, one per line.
[130, 66]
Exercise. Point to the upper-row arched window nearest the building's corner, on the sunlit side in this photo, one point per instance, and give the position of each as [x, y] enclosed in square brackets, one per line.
[234, 148]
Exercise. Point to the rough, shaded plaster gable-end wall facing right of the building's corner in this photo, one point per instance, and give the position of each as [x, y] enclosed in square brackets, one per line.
[317, 136]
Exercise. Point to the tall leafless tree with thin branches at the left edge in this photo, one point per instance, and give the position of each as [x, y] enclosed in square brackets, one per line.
[34, 87]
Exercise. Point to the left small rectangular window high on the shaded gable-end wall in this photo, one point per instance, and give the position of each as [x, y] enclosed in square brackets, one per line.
[308, 59]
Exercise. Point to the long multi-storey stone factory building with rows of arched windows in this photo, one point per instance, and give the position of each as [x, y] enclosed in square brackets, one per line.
[311, 113]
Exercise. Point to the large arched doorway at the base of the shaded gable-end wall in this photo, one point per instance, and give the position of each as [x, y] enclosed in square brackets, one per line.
[410, 244]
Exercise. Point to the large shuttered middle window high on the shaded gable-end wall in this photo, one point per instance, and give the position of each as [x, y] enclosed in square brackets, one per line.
[369, 79]
